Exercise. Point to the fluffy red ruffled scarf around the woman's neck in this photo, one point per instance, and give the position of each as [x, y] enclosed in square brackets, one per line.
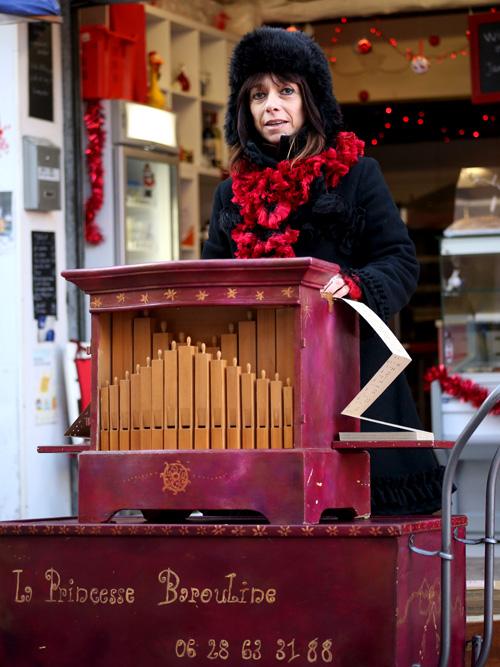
[266, 197]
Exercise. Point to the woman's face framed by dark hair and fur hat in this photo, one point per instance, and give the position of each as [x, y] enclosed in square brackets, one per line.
[276, 108]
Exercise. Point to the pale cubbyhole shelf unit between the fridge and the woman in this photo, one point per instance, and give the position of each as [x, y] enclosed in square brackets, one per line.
[204, 52]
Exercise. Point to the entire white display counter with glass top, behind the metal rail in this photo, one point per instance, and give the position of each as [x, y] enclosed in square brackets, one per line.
[470, 332]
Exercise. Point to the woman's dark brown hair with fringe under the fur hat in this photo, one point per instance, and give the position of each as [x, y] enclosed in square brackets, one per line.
[316, 137]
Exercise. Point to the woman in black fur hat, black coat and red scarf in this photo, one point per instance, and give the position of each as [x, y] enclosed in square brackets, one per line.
[301, 187]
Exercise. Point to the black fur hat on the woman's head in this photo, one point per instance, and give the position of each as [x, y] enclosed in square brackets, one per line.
[277, 51]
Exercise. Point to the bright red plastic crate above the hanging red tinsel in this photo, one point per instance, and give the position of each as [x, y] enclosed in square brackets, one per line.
[107, 63]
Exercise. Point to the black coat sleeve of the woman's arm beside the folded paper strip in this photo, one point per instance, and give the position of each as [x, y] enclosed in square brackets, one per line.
[388, 271]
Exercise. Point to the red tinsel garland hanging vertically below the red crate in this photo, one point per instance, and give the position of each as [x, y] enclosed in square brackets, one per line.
[94, 123]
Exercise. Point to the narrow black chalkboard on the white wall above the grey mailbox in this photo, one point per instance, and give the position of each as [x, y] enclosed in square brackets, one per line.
[40, 76]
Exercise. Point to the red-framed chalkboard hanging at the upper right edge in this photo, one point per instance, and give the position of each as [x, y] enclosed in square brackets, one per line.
[485, 57]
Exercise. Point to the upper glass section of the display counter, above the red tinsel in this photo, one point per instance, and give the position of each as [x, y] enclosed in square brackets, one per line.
[470, 276]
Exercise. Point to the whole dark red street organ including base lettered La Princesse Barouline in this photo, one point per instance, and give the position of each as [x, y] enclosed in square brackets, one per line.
[217, 391]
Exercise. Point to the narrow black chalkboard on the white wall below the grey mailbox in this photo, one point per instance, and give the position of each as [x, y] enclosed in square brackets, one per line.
[43, 249]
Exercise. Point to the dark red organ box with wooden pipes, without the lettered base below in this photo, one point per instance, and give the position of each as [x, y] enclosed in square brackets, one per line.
[219, 385]
